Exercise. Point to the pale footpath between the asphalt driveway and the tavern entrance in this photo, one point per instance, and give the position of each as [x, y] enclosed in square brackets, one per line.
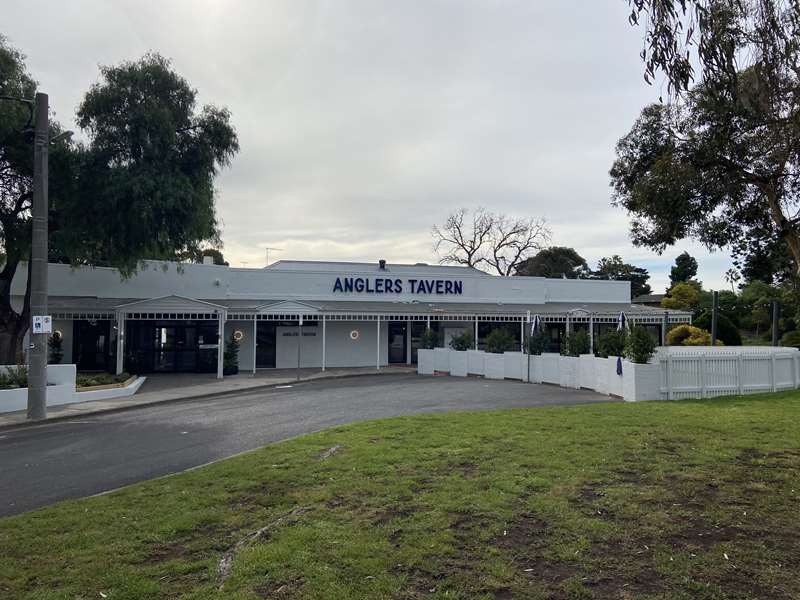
[158, 389]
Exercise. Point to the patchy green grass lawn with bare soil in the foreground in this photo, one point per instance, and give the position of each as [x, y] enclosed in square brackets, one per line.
[691, 499]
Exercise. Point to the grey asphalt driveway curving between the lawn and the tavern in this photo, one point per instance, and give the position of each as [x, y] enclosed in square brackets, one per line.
[69, 459]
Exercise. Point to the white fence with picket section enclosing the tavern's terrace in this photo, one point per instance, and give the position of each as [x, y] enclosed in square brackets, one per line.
[674, 372]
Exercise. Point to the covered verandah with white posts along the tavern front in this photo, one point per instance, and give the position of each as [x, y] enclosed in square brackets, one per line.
[324, 335]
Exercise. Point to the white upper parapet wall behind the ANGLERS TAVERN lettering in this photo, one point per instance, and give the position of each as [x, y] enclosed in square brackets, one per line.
[210, 282]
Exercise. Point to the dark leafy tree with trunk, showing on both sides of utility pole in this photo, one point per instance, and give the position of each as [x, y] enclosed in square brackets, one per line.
[141, 187]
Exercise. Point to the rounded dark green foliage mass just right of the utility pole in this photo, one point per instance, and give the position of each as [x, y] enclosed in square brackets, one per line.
[149, 173]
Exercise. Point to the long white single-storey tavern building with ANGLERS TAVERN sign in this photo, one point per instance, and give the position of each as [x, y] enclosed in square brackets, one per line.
[169, 317]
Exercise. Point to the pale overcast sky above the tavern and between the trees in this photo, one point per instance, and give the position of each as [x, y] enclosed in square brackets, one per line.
[363, 123]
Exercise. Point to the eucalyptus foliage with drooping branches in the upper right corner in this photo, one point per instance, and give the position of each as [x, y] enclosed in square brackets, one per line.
[720, 161]
